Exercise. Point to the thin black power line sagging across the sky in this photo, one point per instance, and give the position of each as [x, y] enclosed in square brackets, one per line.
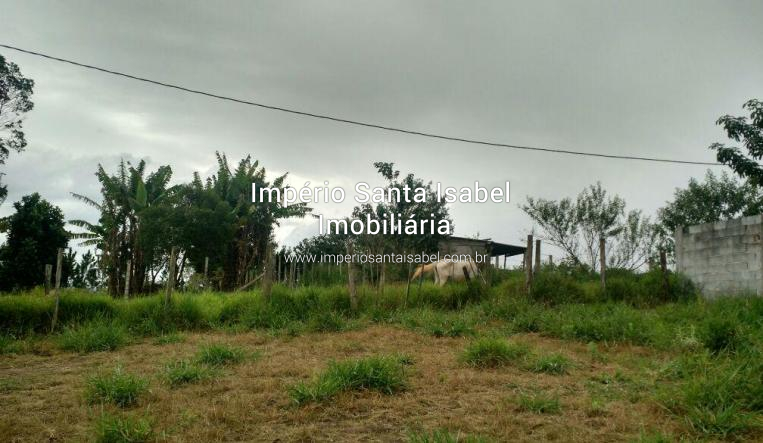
[356, 122]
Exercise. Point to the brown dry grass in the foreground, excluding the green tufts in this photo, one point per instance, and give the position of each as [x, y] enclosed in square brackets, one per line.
[42, 397]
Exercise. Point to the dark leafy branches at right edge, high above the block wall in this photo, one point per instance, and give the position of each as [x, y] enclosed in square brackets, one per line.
[750, 134]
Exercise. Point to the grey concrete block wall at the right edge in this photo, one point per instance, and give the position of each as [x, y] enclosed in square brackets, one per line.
[723, 258]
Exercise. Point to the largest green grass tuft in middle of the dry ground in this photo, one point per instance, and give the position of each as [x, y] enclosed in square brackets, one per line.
[385, 374]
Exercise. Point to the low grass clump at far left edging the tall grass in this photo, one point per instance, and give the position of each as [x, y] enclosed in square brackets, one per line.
[93, 336]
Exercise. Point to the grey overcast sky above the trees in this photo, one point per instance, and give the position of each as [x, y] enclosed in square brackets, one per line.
[645, 78]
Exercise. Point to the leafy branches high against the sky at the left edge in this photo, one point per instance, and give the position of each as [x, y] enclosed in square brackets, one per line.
[15, 93]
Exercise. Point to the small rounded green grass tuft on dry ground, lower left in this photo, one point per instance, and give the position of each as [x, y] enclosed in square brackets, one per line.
[116, 387]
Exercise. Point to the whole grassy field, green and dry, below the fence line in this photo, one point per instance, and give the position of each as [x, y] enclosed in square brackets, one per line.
[451, 364]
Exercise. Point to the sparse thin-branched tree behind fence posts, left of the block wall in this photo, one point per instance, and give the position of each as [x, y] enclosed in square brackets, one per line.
[575, 226]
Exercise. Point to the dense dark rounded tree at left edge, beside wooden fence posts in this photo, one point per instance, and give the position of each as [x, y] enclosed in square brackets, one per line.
[35, 232]
